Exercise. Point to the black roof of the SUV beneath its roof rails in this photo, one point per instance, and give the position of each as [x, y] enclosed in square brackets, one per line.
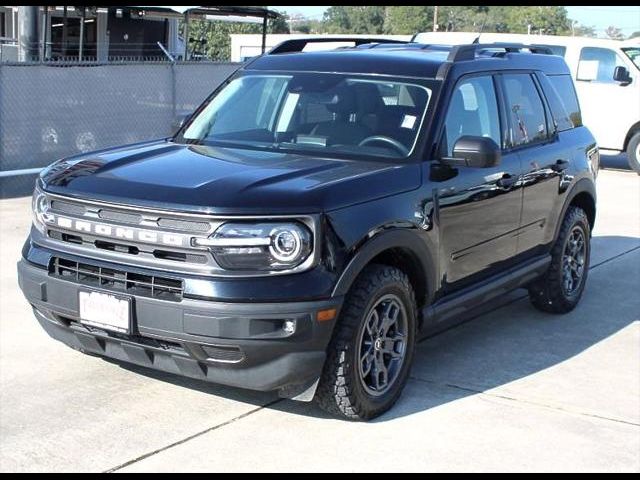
[401, 60]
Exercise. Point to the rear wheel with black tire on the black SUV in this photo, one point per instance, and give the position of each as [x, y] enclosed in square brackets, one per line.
[558, 290]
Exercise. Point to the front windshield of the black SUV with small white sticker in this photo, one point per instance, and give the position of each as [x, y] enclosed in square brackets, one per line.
[313, 113]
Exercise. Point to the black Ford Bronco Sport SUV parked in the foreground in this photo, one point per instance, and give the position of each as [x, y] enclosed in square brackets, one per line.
[318, 214]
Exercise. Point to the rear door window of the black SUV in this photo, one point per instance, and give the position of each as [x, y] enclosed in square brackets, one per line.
[527, 117]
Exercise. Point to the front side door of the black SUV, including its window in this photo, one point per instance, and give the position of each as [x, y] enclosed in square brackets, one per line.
[479, 208]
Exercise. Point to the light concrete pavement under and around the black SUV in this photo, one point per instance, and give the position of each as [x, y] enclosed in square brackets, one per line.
[514, 389]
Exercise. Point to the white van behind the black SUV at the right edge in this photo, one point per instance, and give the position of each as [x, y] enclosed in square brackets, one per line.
[607, 79]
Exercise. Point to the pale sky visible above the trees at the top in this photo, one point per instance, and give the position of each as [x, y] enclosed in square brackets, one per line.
[626, 18]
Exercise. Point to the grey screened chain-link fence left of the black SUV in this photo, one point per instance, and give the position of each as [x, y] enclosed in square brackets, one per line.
[49, 111]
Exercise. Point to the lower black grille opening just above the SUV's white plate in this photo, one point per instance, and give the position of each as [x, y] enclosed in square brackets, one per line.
[118, 280]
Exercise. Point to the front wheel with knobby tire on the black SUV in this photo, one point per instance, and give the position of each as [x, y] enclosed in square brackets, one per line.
[346, 390]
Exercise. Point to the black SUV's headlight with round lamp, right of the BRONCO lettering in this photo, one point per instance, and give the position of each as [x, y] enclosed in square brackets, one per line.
[259, 246]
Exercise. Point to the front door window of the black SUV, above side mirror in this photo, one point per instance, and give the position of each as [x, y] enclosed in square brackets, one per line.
[473, 111]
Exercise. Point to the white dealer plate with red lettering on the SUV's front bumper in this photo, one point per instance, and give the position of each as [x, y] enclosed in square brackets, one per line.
[105, 311]
